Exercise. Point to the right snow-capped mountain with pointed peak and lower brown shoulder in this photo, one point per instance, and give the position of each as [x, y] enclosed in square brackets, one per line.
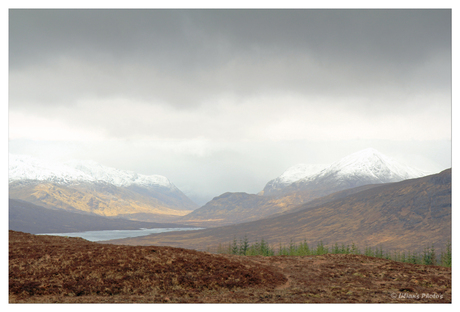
[301, 184]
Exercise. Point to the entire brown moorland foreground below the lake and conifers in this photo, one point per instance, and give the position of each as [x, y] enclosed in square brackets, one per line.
[49, 269]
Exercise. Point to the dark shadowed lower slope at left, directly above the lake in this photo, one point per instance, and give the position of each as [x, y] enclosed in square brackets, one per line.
[30, 218]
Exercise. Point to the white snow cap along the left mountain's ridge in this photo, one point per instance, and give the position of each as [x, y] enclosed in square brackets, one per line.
[23, 167]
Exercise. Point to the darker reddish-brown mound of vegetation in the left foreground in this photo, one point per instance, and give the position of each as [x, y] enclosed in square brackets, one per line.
[72, 267]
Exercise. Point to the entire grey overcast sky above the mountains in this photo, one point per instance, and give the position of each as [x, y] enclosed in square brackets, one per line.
[225, 100]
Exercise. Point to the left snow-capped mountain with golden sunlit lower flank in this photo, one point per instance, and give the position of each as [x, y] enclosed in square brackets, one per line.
[86, 186]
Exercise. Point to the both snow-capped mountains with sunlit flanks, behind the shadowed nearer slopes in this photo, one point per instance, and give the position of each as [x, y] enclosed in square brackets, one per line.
[90, 188]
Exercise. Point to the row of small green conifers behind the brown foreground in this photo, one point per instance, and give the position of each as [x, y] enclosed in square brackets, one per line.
[262, 248]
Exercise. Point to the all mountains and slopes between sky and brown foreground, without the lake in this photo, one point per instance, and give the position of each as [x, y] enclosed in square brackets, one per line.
[365, 198]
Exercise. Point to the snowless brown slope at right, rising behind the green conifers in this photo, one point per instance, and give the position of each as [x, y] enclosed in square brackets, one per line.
[407, 215]
